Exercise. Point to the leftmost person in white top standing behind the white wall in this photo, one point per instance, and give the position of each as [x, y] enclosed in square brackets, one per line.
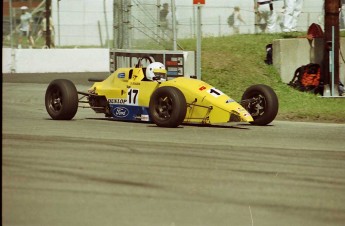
[25, 27]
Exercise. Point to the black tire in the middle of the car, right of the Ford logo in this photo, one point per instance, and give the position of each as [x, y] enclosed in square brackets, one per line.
[167, 107]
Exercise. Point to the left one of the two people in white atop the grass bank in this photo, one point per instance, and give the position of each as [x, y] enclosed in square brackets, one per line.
[267, 15]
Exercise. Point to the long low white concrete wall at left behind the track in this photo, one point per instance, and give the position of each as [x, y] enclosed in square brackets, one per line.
[54, 60]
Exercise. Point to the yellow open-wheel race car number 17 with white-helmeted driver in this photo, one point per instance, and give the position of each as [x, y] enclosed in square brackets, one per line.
[145, 94]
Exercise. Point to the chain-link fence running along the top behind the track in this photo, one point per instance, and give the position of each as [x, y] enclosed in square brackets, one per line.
[134, 23]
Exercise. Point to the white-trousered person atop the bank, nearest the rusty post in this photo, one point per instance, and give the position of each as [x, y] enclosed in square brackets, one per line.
[293, 9]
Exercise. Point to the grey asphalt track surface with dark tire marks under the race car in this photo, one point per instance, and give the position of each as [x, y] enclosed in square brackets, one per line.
[92, 171]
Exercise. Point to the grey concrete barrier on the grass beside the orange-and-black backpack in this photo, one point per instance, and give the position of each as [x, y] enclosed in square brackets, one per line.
[289, 54]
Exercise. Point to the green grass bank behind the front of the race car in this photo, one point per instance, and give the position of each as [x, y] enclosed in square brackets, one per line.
[233, 63]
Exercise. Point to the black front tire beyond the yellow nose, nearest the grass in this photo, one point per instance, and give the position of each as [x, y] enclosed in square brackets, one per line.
[262, 103]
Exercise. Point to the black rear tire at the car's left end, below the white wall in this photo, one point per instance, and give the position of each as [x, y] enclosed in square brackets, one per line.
[61, 99]
